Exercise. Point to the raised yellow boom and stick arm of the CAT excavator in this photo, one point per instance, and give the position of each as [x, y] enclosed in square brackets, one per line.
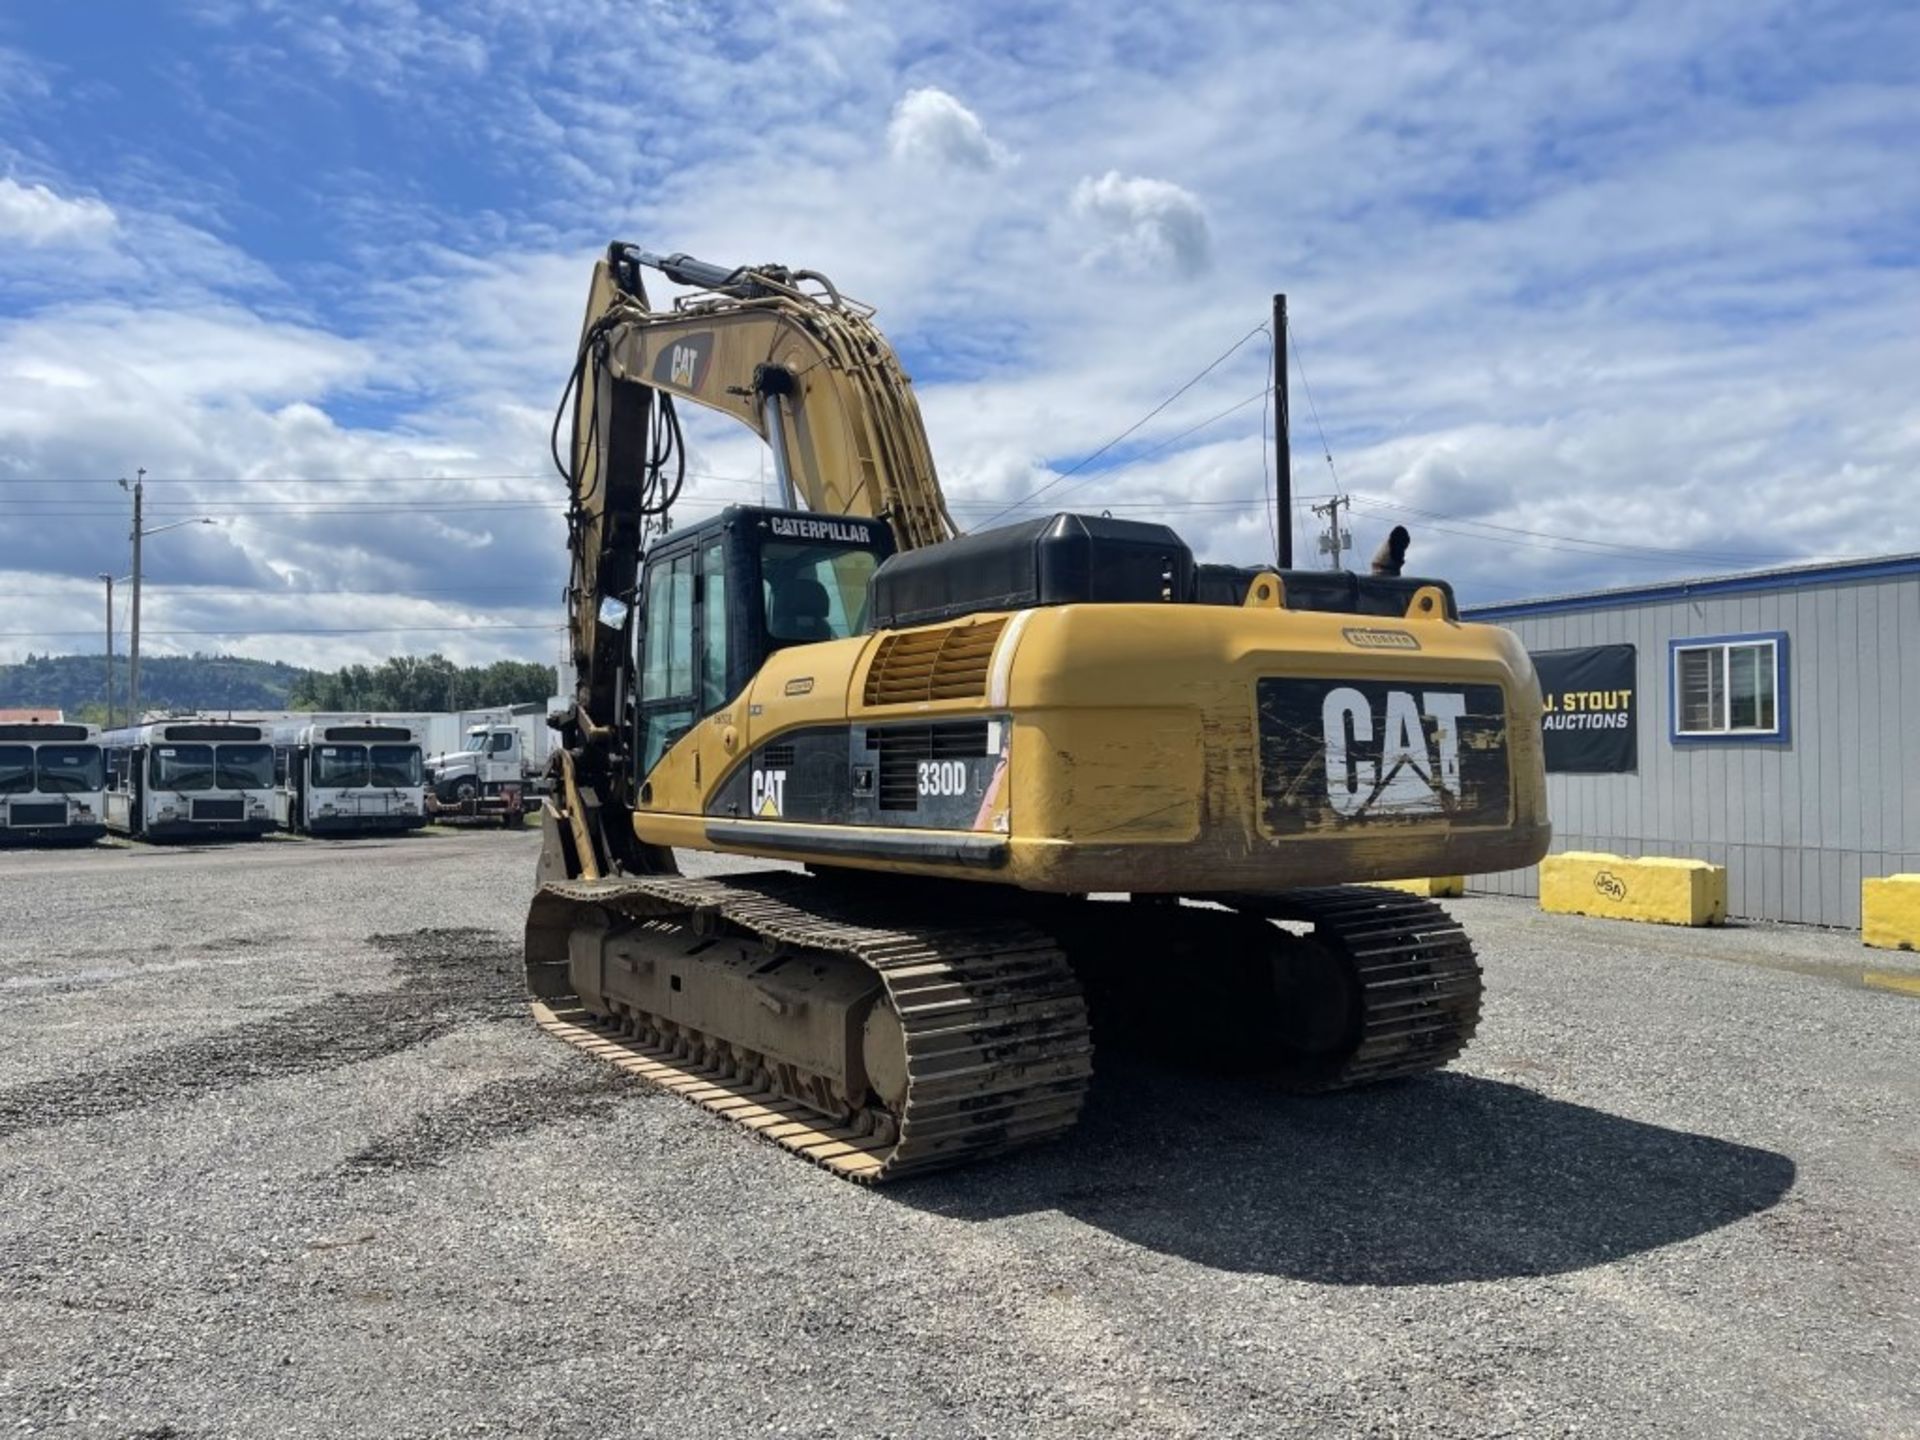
[784, 354]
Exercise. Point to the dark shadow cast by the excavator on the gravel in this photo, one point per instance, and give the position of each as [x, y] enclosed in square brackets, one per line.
[1428, 1182]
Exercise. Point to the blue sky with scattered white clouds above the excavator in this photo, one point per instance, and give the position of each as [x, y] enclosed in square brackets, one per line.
[1583, 297]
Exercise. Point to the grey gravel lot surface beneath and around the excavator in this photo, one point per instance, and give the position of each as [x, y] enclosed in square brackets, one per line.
[279, 1155]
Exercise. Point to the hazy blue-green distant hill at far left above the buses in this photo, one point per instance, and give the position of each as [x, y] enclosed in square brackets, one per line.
[183, 683]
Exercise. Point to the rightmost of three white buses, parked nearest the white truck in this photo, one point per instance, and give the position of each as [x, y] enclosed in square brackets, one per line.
[348, 779]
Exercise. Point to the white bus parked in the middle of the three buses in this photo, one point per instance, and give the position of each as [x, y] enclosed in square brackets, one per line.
[189, 780]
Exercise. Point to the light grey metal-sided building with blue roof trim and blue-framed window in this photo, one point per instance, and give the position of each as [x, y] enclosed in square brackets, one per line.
[1773, 729]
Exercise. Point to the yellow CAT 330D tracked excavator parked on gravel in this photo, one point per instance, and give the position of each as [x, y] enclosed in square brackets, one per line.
[1034, 780]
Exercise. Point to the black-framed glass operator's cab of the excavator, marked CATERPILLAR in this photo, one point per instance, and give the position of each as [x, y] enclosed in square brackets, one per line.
[723, 596]
